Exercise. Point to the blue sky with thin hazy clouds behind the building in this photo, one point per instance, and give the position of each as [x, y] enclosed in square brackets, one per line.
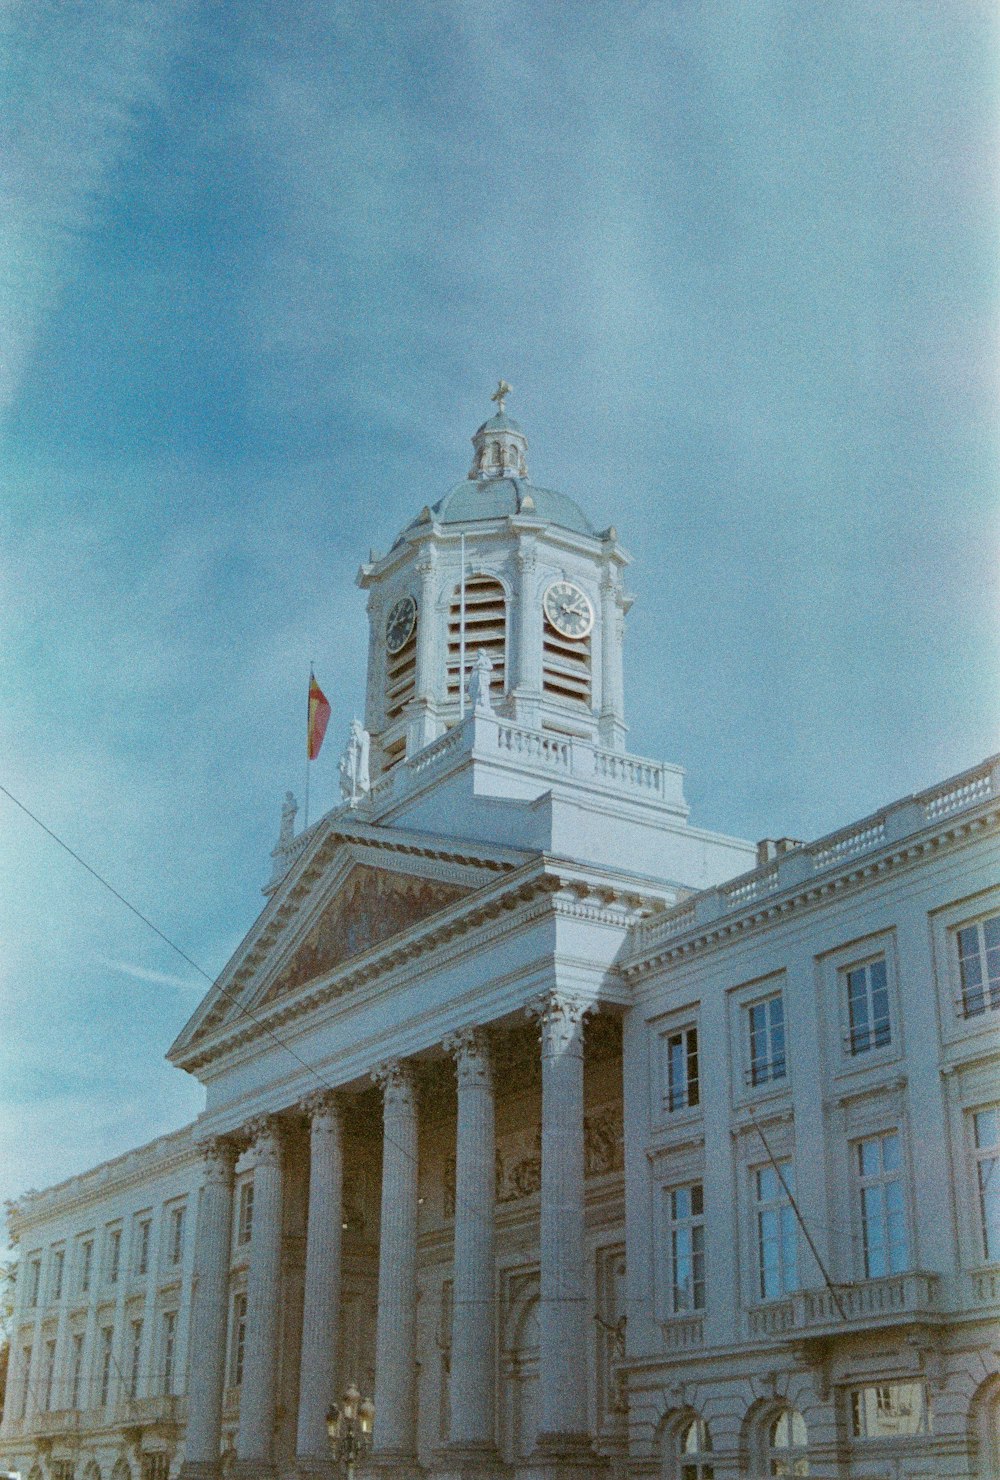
[261, 267]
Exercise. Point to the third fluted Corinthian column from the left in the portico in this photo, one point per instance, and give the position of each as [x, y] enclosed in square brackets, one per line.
[322, 1303]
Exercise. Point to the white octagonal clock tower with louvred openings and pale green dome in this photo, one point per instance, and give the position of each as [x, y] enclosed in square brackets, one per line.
[511, 569]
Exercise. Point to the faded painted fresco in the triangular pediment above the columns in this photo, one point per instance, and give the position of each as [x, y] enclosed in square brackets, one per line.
[372, 906]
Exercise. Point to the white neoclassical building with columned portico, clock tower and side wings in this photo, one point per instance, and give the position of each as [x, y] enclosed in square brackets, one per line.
[536, 1114]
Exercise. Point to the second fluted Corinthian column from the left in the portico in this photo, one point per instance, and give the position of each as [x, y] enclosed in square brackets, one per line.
[258, 1396]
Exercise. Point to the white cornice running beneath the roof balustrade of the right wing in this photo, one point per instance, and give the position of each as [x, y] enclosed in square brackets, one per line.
[860, 872]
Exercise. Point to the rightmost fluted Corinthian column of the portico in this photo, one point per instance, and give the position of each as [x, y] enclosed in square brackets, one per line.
[563, 1306]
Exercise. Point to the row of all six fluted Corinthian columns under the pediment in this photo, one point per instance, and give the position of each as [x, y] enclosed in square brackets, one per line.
[563, 1306]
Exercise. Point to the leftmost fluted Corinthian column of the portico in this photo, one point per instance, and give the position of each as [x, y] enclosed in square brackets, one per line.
[211, 1312]
